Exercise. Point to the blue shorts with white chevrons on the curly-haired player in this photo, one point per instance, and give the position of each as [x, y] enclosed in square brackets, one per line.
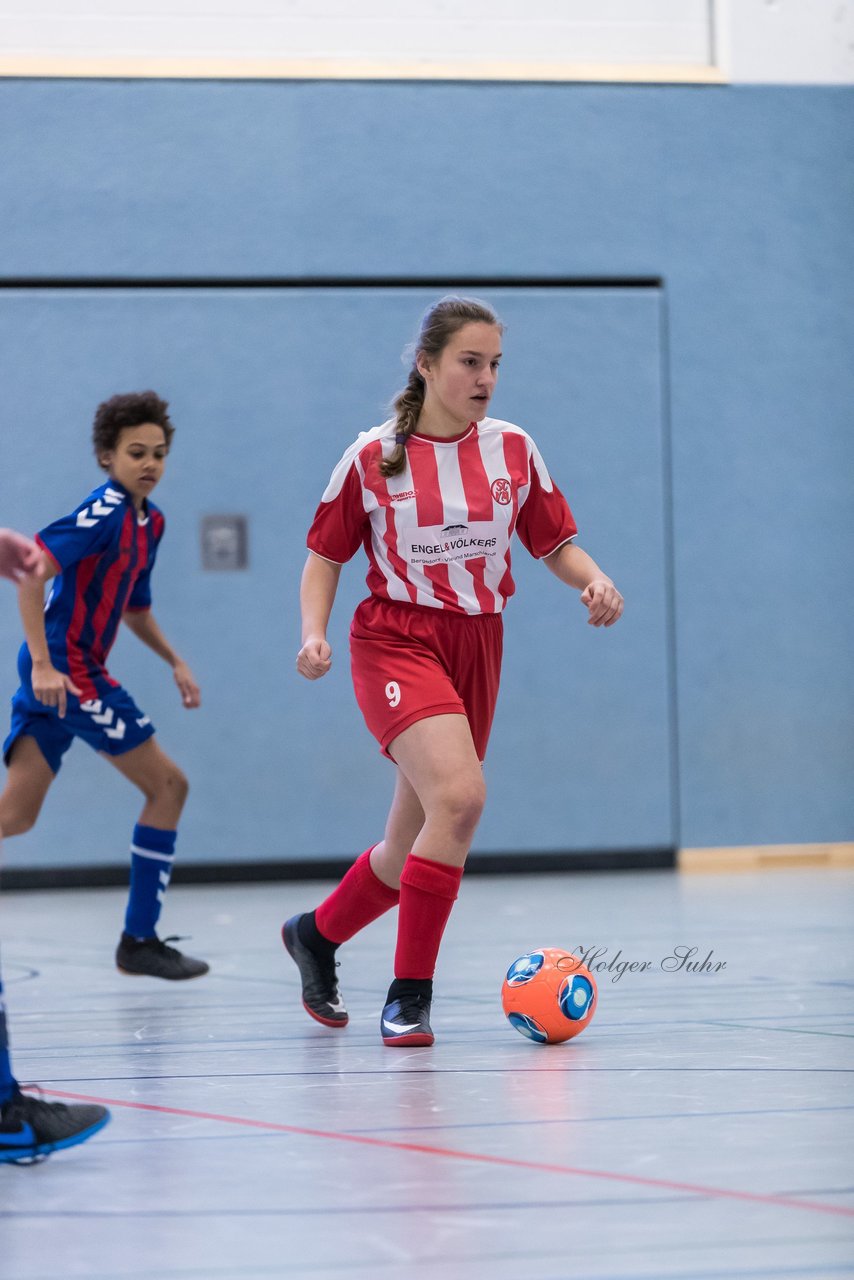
[112, 724]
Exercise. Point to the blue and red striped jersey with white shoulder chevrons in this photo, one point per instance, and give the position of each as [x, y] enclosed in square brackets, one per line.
[104, 552]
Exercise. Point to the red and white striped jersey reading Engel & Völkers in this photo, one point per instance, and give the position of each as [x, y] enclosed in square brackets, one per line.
[439, 534]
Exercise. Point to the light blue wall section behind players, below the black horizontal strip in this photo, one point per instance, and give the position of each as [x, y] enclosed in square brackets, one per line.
[268, 386]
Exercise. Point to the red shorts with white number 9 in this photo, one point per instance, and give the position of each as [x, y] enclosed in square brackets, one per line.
[412, 662]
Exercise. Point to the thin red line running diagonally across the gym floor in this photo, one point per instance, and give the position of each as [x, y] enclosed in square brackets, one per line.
[451, 1154]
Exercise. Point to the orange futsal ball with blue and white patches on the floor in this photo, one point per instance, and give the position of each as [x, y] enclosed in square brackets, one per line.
[549, 995]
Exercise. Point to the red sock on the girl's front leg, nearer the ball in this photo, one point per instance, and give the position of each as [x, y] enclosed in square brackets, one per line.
[428, 894]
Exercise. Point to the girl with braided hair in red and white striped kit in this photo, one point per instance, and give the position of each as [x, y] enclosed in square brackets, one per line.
[435, 497]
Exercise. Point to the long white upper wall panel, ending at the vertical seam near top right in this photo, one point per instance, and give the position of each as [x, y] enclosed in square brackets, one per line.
[369, 36]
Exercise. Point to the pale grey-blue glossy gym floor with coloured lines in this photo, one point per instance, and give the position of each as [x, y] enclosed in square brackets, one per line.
[701, 1127]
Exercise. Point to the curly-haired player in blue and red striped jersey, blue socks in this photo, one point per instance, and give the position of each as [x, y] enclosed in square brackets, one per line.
[101, 560]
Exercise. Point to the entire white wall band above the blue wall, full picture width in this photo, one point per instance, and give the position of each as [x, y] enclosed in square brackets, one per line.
[765, 42]
